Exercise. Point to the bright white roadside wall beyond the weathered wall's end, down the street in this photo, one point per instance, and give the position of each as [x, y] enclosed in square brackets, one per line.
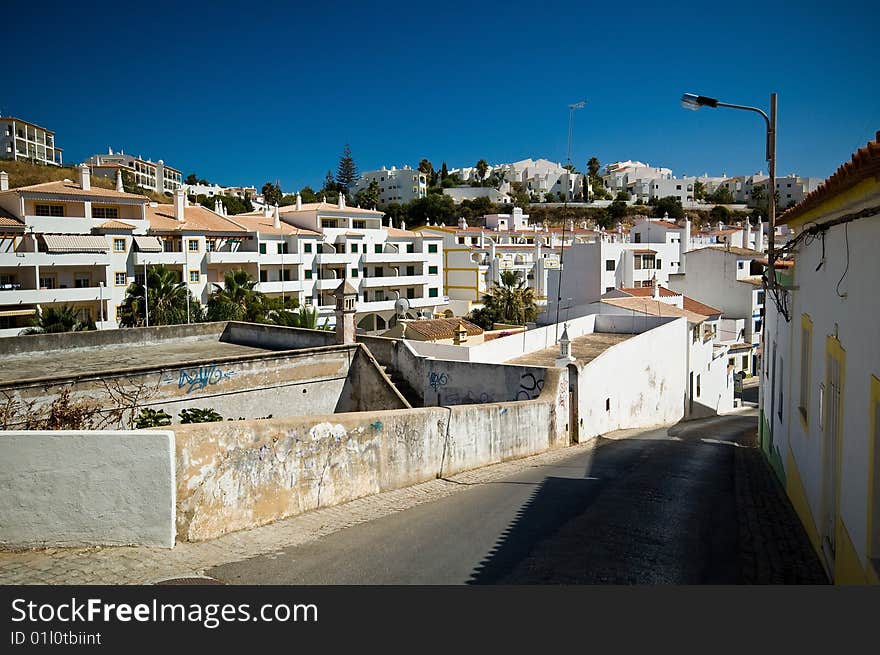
[639, 382]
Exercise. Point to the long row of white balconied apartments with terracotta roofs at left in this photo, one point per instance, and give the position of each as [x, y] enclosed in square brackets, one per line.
[69, 243]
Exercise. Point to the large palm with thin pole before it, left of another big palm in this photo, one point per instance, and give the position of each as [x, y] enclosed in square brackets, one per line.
[167, 300]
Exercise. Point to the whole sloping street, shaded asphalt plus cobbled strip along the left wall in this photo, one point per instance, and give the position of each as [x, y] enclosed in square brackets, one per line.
[693, 504]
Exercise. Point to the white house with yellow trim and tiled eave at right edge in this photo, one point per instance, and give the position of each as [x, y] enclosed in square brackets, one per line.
[820, 397]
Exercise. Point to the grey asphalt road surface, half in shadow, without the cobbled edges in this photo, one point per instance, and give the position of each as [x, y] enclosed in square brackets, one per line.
[656, 507]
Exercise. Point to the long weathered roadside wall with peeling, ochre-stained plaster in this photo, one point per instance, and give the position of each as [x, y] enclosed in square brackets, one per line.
[241, 474]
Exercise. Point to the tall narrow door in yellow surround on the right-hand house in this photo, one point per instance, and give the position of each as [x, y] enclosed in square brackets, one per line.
[831, 450]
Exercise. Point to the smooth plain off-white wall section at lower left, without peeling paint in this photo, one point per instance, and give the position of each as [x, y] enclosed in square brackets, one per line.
[67, 488]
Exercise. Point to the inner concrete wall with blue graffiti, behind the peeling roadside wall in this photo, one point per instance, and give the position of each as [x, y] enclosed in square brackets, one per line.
[288, 383]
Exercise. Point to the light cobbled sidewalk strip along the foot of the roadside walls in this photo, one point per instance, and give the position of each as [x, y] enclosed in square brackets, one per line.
[147, 565]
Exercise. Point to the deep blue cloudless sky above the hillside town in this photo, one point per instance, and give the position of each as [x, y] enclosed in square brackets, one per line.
[244, 93]
